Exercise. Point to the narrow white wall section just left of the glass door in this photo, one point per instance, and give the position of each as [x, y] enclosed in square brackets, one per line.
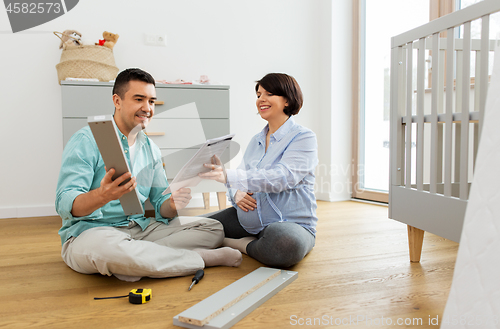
[333, 180]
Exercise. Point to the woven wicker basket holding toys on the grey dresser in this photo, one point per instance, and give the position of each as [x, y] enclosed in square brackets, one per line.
[88, 62]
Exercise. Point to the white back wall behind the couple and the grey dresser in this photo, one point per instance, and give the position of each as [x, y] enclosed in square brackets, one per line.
[233, 42]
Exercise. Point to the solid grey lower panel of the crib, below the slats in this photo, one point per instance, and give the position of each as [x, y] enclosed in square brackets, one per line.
[440, 215]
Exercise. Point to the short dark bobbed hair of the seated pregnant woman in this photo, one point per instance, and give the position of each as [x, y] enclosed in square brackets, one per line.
[281, 84]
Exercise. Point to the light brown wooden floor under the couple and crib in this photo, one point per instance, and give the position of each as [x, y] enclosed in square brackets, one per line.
[358, 274]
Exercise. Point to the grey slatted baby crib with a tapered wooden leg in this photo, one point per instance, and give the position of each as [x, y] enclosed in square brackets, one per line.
[435, 128]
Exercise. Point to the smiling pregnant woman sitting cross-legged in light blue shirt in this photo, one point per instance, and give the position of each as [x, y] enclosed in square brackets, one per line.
[273, 218]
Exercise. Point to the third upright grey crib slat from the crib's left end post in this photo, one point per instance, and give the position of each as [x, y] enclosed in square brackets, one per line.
[434, 110]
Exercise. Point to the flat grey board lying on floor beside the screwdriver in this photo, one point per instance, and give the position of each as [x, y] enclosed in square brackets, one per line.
[228, 306]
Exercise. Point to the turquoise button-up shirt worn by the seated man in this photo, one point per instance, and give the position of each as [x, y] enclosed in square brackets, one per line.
[82, 170]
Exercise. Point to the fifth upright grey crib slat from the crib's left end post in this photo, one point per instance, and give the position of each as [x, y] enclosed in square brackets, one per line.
[464, 147]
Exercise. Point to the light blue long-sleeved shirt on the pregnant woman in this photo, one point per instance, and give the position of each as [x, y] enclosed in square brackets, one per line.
[282, 179]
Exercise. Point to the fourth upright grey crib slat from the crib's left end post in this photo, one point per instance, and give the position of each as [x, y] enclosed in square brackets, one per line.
[450, 40]
